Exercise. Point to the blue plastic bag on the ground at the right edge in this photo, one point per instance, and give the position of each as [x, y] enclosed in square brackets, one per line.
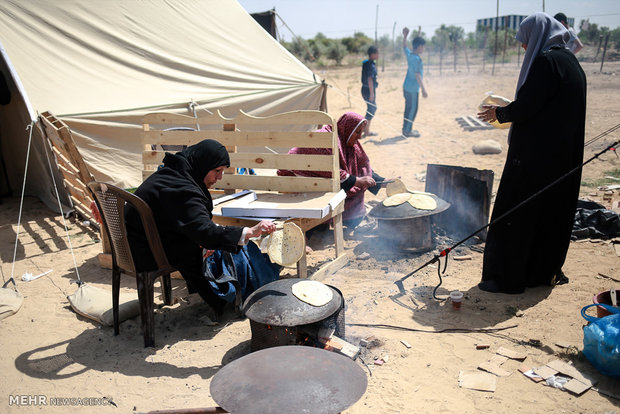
[601, 340]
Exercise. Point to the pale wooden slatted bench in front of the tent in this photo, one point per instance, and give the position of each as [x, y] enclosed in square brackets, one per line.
[260, 144]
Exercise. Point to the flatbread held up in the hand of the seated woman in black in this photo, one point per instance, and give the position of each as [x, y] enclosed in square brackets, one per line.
[285, 246]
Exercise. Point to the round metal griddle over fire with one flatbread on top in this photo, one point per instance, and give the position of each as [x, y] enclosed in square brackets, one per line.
[275, 304]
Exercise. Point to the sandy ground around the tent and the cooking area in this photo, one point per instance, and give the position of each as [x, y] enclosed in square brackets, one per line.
[48, 350]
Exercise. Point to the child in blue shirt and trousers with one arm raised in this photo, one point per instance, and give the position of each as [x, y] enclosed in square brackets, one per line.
[413, 82]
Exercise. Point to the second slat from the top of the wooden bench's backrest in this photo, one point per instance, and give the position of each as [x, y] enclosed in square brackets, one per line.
[277, 139]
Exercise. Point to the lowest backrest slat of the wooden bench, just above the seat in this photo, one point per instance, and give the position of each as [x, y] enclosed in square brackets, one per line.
[275, 183]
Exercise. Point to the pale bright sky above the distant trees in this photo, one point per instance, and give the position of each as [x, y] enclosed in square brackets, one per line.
[342, 18]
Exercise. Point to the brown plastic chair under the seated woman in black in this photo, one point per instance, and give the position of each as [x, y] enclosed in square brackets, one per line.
[111, 203]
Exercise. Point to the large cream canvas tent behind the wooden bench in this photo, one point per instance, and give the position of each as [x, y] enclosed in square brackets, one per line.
[99, 66]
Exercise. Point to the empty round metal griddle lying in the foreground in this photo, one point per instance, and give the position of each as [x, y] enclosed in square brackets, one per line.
[289, 379]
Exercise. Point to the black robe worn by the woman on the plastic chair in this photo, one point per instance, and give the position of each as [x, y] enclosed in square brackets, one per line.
[181, 206]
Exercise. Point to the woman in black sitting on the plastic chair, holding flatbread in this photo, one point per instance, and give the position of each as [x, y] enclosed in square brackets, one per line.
[215, 261]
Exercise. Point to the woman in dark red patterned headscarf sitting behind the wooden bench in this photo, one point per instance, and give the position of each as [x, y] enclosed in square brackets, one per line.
[356, 175]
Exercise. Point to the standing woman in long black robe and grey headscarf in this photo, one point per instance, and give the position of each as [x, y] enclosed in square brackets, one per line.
[528, 247]
